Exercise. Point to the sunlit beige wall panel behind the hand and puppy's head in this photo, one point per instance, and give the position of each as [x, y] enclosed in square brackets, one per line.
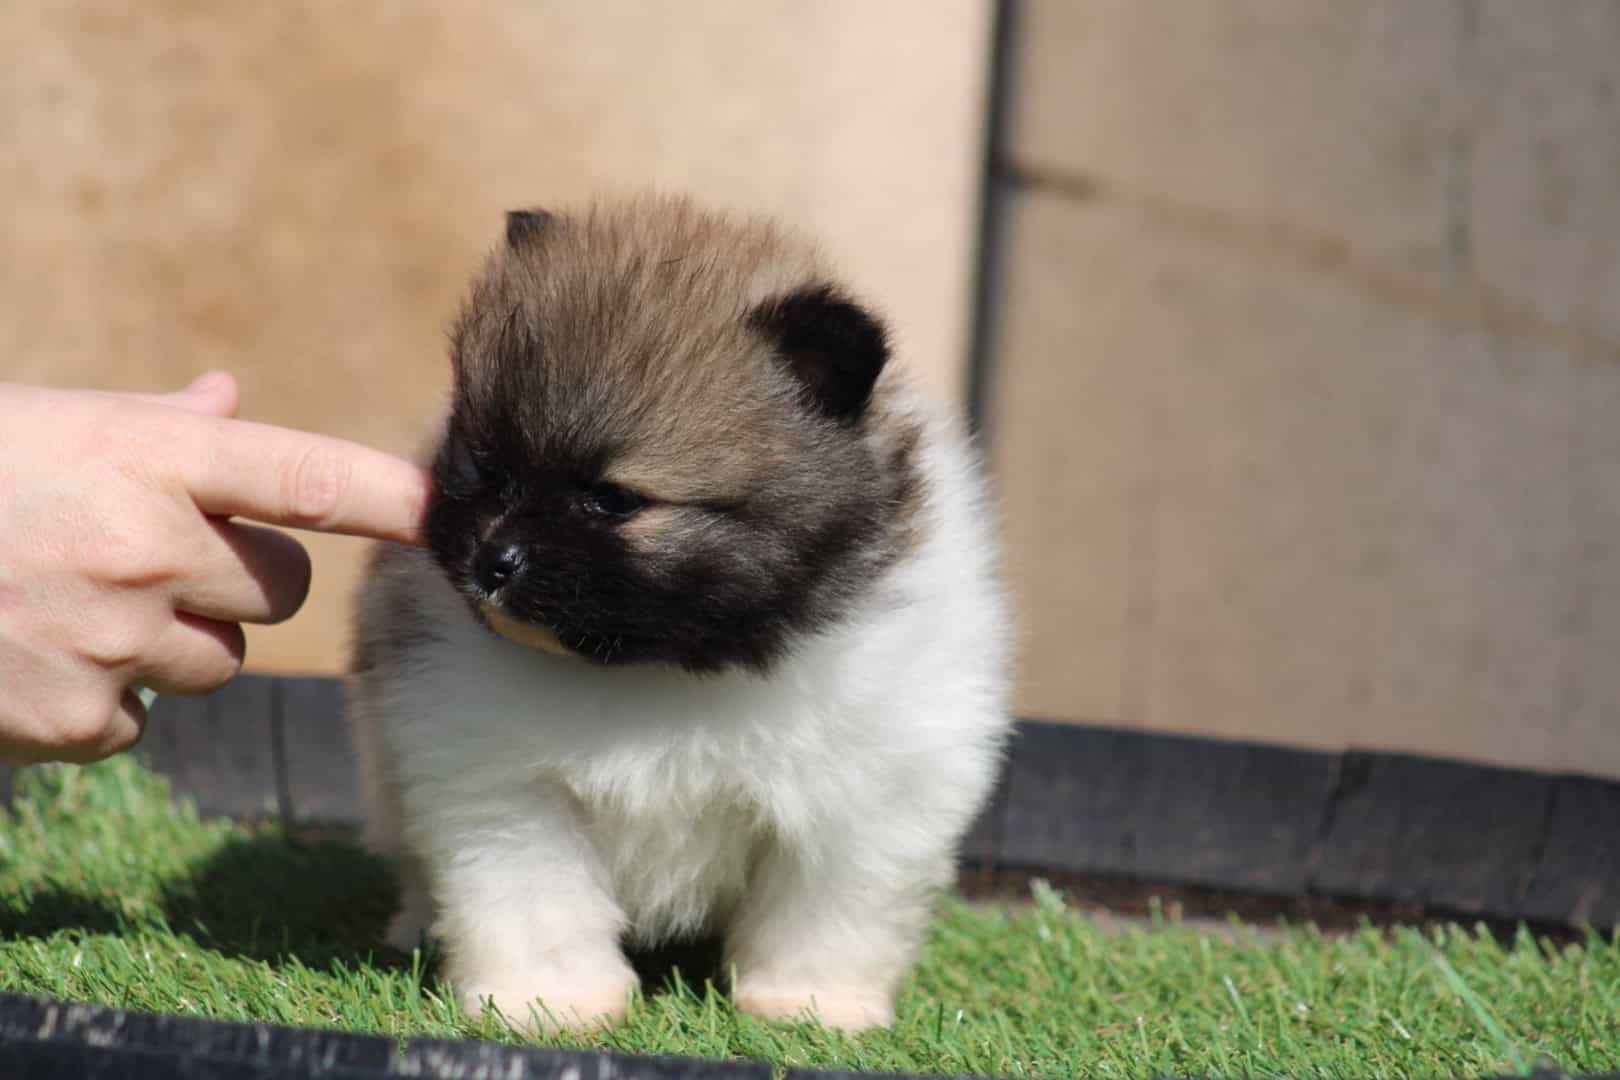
[299, 192]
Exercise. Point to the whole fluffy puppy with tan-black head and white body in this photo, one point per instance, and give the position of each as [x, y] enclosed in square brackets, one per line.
[707, 637]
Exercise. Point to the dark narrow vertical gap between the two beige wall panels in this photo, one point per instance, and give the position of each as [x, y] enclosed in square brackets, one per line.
[987, 260]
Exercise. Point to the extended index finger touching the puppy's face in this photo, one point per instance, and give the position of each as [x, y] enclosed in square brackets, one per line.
[301, 480]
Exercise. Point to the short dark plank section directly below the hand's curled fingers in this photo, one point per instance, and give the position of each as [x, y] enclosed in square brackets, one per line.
[218, 749]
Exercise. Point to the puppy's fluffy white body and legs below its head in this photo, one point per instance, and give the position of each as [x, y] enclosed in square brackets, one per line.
[552, 807]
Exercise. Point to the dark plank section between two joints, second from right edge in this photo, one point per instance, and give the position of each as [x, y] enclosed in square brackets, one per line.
[1438, 833]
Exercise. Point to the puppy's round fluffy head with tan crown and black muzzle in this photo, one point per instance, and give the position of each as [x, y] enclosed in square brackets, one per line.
[668, 441]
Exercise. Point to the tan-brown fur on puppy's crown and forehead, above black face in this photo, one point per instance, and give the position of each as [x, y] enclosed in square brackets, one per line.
[647, 300]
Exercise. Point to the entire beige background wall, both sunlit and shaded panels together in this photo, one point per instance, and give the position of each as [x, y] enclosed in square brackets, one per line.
[1303, 370]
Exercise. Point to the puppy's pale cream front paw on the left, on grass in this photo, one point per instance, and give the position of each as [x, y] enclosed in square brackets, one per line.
[547, 1001]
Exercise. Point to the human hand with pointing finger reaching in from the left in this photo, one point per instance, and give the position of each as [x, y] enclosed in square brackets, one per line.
[122, 563]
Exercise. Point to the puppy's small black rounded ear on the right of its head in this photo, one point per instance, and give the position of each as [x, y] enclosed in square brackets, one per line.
[835, 347]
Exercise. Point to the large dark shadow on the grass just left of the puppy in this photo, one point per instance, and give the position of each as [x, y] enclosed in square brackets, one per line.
[275, 898]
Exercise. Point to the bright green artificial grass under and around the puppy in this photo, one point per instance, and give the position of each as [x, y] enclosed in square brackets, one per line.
[111, 895]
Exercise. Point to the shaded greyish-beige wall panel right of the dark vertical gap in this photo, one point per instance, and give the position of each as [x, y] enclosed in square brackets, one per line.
[1308, 391]
